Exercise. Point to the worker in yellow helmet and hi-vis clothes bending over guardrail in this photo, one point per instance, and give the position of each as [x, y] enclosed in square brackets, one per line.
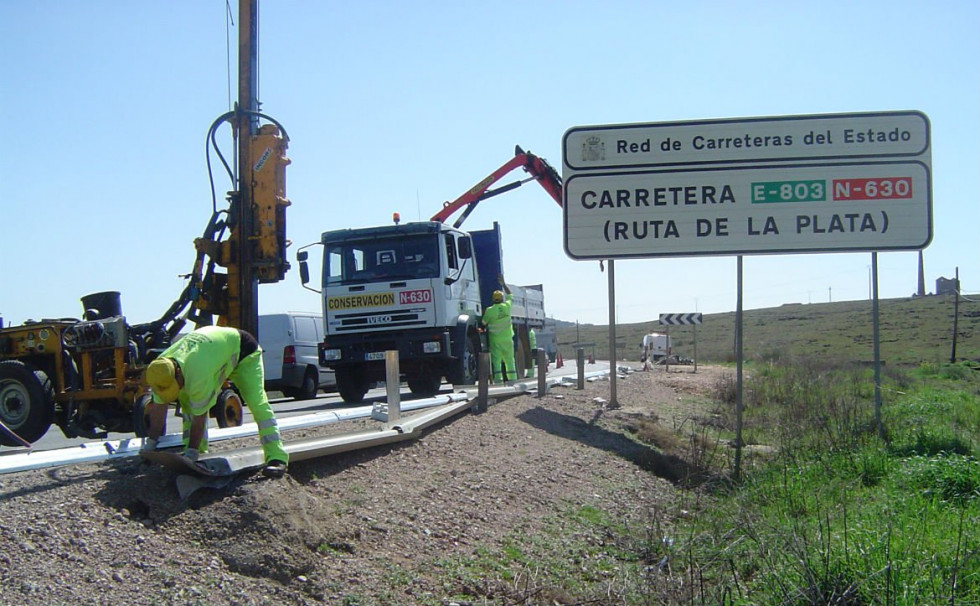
[192, 372]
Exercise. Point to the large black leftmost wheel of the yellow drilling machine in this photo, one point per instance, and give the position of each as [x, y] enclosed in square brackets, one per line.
[26, 402]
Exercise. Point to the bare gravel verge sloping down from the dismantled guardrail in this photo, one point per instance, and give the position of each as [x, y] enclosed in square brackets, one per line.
[369, 527]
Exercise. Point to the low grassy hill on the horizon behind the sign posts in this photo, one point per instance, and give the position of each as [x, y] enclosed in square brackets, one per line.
[912, 330]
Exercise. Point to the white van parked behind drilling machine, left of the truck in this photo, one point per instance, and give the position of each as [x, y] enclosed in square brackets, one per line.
[289, 354]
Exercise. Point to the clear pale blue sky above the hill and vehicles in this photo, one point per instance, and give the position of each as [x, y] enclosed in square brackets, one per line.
[400, 106]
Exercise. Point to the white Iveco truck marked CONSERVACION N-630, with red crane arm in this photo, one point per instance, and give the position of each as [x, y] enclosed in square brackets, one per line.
[420, 289]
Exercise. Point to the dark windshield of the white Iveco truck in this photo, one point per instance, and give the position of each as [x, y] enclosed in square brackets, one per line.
[378, 260]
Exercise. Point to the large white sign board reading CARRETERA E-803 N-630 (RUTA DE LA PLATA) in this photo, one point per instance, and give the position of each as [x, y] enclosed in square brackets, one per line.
[865, 186]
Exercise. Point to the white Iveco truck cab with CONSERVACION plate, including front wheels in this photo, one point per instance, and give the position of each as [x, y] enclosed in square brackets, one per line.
[411, 288]
